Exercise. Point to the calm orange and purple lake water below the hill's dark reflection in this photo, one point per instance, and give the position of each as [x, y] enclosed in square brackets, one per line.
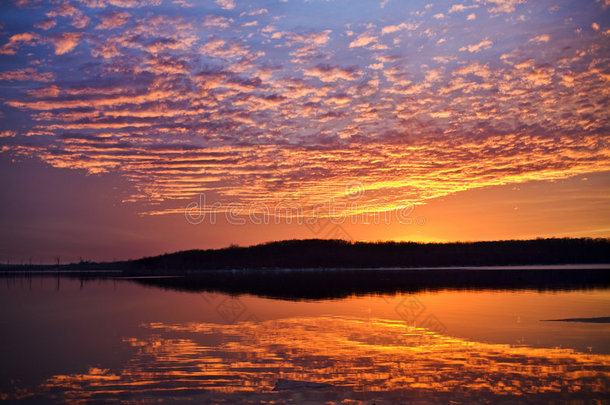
[112, 341]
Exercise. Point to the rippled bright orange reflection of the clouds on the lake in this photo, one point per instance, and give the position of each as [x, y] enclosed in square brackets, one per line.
[365, 361]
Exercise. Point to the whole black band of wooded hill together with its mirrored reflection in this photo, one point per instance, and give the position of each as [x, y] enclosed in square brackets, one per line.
[311, 269]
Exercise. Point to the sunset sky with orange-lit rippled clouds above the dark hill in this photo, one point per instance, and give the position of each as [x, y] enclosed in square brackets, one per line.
[138, 127]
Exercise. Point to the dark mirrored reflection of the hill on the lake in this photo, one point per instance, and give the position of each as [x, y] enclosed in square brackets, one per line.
[325, 283]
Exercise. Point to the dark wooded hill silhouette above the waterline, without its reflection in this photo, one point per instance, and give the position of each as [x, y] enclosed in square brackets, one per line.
[319, 253]
